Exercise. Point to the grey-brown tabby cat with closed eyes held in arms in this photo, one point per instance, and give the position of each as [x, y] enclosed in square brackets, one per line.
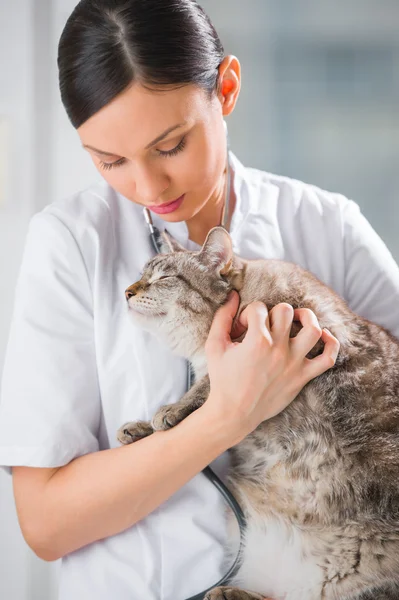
[319, 482]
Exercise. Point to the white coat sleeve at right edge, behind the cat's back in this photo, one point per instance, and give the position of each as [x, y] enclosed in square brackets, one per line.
[371, 273]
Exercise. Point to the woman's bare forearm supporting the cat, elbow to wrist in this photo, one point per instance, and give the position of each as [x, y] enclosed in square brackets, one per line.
[103, 493]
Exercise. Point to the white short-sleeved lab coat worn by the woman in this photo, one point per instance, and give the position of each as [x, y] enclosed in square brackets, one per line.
[76, 367]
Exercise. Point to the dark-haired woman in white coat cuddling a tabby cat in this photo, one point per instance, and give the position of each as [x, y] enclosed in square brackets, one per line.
[147, 86]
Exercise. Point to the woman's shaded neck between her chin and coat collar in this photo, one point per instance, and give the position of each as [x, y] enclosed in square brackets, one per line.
[211, 214]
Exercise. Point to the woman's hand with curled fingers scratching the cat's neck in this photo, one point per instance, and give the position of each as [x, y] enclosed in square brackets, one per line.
[255, 379]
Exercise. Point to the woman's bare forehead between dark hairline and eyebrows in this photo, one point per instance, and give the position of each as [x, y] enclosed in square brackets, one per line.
[137, 116]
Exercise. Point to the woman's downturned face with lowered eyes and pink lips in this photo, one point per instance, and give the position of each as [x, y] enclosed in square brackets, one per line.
[154, 147]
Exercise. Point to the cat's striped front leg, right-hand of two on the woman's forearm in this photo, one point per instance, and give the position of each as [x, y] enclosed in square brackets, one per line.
[170, 415]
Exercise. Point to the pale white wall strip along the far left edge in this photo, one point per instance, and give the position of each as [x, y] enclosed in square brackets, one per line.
[16, 107]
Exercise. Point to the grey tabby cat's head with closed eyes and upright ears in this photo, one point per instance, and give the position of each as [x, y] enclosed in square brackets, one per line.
[180, 290]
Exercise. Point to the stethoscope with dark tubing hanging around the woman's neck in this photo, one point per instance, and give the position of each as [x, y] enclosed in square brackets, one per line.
[154, 235]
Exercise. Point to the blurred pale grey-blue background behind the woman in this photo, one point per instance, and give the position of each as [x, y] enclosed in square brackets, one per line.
[319, 102]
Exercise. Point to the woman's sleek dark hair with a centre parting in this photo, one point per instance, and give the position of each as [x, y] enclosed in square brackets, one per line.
[106, 45]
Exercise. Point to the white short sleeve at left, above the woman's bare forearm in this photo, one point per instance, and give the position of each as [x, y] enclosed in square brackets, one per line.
[49, 395]
